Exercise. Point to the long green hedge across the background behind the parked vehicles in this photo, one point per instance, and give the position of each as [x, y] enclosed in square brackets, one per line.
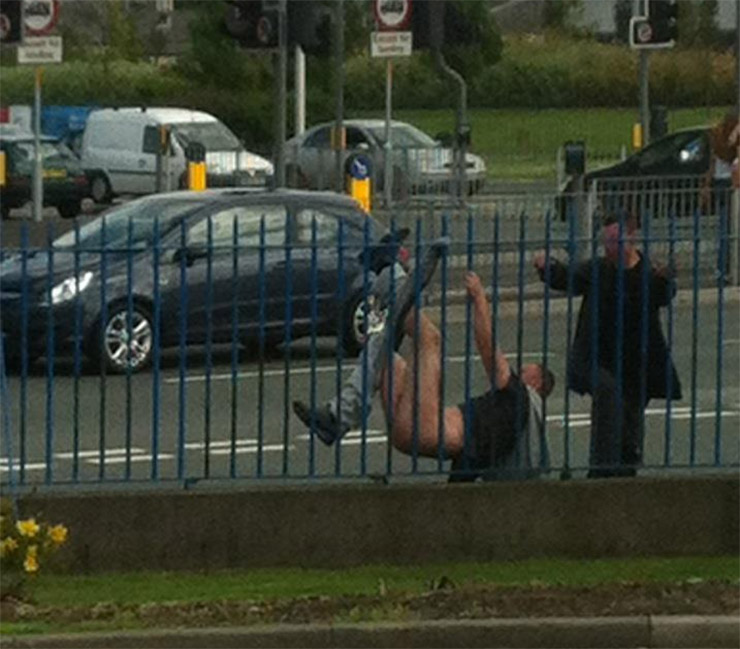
[534, 72]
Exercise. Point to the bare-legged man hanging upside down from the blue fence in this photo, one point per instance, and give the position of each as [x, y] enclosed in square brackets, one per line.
[504, 427]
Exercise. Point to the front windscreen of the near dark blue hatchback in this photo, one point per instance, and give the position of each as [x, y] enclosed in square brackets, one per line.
[135, 220]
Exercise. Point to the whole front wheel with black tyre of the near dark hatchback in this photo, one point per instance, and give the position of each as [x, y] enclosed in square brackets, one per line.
[115, 352]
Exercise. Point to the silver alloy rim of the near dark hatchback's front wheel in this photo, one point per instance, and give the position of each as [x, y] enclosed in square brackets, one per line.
[128, 348]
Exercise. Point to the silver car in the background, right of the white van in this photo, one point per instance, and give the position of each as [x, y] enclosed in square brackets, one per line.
[420, 163]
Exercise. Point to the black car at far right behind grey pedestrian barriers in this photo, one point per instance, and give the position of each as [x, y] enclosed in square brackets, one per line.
[667, 178]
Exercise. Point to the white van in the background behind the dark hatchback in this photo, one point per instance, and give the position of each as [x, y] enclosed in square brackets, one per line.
[119, 148]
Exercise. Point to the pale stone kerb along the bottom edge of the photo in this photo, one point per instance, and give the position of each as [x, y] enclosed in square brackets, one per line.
[638, 631]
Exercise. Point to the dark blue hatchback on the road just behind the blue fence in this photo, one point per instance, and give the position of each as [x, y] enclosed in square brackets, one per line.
[125, 272]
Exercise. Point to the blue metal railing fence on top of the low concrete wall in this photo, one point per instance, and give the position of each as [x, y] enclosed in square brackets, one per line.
[234, 331]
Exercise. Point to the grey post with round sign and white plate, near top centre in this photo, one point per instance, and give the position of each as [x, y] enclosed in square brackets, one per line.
[391, 17]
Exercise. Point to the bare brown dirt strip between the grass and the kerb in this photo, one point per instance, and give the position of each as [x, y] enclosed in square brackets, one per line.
[447, 602]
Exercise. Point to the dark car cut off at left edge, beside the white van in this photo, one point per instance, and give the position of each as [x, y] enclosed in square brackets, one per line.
[65, 183]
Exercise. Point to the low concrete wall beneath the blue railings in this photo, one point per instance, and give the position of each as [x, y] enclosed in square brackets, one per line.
[343, 525]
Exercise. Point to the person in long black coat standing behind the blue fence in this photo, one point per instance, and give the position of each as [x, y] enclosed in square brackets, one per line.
[618, 356]
